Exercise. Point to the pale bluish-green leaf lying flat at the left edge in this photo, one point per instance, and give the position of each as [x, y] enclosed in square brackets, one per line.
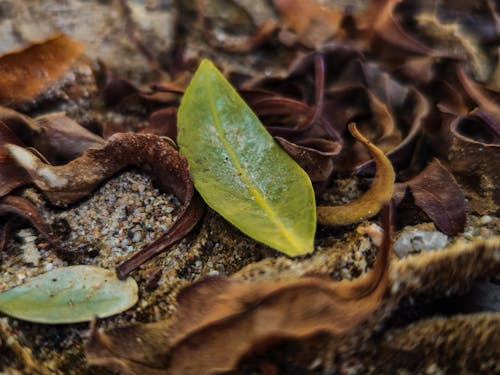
[70, 295]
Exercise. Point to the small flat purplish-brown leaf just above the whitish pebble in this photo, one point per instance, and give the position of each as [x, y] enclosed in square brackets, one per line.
[437, 193]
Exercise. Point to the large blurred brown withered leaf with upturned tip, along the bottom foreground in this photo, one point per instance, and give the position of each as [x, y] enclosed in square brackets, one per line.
[219, 320]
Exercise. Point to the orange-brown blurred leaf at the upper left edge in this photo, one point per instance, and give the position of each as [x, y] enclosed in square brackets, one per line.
[28, 72]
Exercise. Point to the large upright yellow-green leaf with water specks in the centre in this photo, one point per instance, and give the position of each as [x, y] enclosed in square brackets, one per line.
[238, 168]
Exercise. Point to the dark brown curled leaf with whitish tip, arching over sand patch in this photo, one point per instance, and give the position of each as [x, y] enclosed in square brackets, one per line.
[77, 179]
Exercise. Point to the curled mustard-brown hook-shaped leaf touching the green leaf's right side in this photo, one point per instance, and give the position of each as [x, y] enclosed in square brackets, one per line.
[370, 203]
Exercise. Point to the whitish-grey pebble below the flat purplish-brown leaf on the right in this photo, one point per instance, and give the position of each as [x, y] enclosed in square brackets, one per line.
[416, 240]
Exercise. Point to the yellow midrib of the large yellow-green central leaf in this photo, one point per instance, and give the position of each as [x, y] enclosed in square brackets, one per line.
[254, 190]
